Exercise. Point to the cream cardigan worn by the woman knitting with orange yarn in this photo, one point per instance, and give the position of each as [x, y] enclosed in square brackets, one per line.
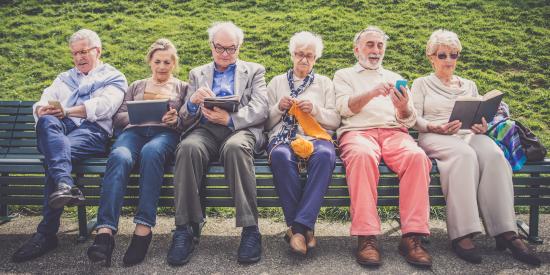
[321, 95]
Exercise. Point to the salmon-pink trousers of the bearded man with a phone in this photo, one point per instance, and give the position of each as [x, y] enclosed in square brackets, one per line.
[361, 153]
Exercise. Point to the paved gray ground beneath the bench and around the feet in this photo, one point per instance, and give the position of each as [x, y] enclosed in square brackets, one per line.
[216, 253]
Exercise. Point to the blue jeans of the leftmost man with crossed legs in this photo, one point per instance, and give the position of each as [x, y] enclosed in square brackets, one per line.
[63, 143]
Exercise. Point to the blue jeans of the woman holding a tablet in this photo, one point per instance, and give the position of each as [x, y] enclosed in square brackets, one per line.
[152, 147]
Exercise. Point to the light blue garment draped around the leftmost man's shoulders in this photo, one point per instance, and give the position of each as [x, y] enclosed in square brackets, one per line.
[104, 75]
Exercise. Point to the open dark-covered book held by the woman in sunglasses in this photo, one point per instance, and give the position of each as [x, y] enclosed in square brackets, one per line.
[470, 110]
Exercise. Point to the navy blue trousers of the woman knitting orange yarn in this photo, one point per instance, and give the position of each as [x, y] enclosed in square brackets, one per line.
[302, 203]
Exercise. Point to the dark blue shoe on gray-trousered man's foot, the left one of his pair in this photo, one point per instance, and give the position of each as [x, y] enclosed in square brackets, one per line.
[182, 246]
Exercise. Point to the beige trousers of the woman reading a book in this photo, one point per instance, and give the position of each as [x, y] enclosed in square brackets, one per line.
[475, 178]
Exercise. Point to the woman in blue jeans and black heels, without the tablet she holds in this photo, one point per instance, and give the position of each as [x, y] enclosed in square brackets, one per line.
[150, 144]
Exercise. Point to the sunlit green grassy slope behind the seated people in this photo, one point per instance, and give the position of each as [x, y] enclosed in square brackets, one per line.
[506, 43]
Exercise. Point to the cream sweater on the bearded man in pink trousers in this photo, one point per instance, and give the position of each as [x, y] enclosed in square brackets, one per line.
[379, 112]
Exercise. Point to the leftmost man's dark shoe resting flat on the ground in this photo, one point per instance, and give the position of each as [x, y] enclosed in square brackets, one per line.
[38, 245]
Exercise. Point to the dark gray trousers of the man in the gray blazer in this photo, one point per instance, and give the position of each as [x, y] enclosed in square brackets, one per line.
[193, 154]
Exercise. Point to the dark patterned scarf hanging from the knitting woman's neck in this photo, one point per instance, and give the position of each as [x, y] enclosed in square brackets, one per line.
[288, 131]
